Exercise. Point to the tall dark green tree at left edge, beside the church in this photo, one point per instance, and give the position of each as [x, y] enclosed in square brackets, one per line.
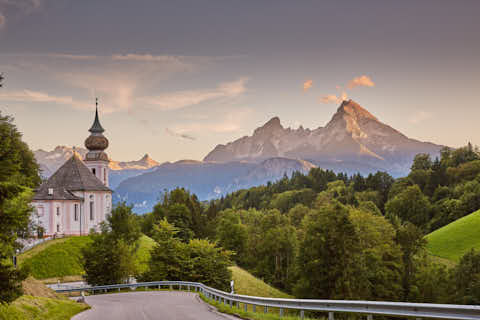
[18, 176]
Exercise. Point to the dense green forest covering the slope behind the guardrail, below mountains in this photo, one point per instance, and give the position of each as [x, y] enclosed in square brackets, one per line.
[333, 236]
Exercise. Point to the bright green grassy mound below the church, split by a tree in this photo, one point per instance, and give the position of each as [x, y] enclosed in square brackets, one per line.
[62, 257]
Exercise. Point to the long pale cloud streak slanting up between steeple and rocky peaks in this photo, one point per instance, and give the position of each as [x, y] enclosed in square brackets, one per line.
[181, 99]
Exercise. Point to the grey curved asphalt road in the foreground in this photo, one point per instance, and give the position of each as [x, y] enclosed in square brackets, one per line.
[150, 305]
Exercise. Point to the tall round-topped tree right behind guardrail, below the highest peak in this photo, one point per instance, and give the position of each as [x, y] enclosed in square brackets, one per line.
[328, 248]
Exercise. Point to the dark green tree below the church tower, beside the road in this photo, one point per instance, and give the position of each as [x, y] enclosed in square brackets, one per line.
[110, 259]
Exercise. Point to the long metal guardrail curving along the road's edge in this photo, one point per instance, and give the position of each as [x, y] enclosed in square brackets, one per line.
[368, 308]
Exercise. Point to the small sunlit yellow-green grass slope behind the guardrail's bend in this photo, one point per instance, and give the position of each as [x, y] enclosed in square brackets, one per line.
[246, 283]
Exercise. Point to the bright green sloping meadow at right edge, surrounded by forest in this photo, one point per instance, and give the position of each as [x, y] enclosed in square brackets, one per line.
[455, 239]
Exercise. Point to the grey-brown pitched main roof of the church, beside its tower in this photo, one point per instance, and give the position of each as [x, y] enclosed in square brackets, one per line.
[73, 175]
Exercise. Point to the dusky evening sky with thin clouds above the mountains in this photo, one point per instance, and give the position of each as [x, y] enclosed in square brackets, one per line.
[176, 78]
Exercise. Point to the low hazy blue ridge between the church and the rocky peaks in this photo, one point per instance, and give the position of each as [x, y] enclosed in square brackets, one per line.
[208, 180]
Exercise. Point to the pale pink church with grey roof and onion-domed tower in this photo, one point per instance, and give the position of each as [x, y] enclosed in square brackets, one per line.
[76, 198]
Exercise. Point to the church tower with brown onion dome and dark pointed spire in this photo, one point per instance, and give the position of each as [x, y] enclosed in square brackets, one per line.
[96, 159]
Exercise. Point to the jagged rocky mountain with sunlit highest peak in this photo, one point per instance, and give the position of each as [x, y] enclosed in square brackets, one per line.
[353, 141]
